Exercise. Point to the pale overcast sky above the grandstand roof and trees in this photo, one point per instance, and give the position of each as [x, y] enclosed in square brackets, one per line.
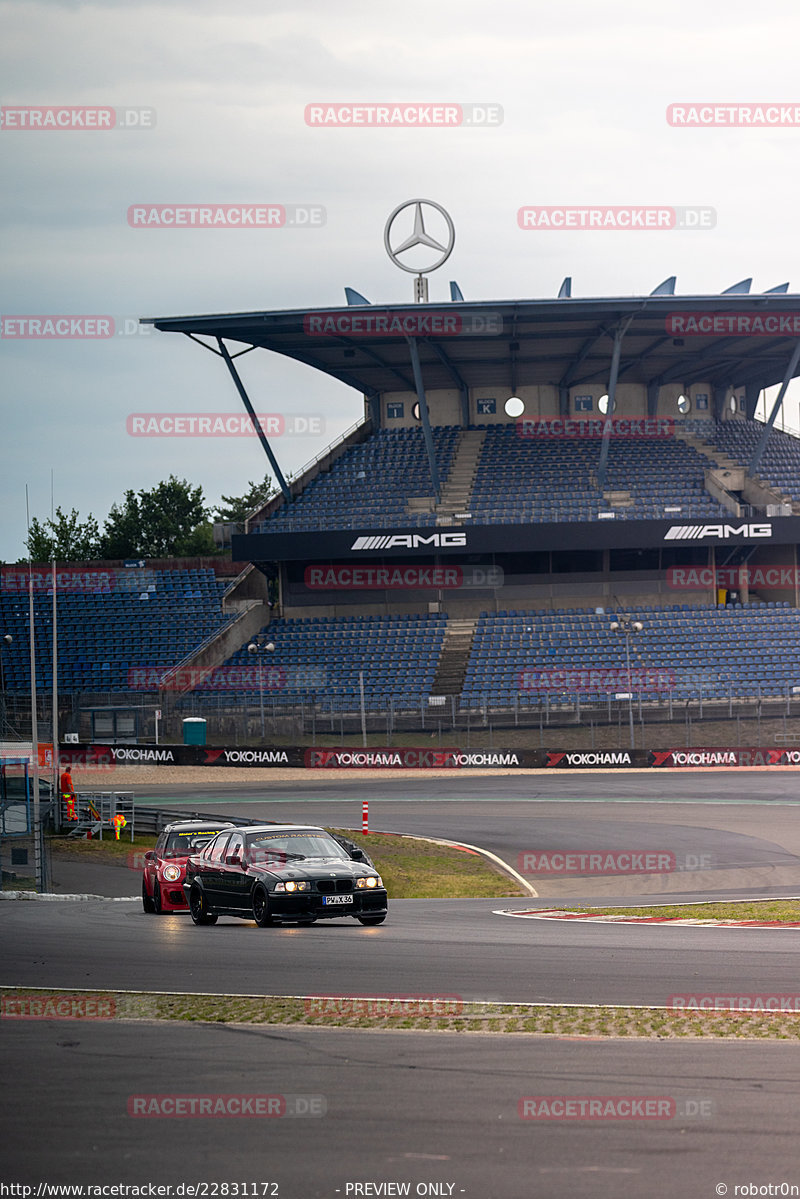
[584, 88]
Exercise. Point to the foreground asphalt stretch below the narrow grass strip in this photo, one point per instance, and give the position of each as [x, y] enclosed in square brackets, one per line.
[406, 1108]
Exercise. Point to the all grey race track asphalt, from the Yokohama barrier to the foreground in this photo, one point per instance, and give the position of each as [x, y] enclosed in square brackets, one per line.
[435, 1111]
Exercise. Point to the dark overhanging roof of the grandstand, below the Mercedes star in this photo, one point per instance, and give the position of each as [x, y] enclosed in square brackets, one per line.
[564, 342]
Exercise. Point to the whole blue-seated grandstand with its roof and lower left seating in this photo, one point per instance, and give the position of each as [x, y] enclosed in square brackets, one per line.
[473, 541]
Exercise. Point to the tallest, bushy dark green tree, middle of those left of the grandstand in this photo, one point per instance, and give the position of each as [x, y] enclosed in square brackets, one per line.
[163, 522]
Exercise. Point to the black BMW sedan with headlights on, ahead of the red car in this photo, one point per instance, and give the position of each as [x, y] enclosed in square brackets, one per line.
[276, 873]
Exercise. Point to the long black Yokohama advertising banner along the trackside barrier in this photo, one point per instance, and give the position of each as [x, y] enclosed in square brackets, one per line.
[97, 757]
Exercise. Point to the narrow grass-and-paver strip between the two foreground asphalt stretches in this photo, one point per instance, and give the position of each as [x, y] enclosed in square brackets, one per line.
[424, 1015]
